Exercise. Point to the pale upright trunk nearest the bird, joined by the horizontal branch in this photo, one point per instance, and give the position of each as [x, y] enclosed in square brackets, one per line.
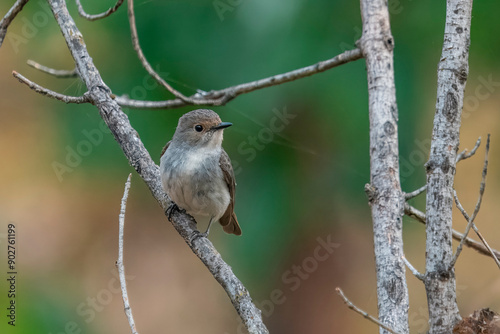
[384, 192]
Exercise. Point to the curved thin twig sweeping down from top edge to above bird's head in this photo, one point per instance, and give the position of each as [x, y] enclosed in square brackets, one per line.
[152, 72]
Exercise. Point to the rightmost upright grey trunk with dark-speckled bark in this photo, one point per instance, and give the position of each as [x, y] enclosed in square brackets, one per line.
[452, 76]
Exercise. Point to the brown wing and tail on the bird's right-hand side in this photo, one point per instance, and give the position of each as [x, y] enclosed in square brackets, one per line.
[228, 220]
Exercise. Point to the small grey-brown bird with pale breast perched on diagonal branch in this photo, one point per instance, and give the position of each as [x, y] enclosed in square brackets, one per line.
[196, 172]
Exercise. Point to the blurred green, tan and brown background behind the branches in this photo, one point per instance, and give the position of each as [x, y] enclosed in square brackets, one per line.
[298, 188]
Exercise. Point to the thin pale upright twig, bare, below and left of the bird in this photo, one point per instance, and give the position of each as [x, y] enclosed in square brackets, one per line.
[119, 263]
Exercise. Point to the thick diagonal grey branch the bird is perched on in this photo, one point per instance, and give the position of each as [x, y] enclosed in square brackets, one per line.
[139, 158]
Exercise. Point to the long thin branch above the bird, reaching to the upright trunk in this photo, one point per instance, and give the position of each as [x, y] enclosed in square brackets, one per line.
[234, 91]
